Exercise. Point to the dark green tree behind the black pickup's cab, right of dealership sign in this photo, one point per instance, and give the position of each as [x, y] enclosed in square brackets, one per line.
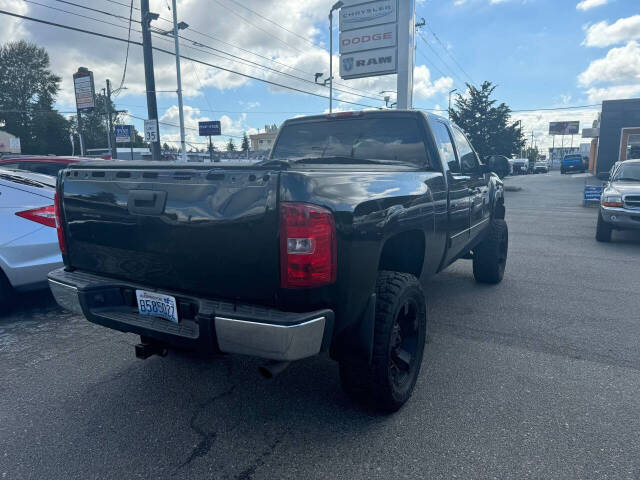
[487, 125]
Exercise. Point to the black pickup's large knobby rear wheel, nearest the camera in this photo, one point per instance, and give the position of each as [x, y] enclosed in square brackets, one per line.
[399, 337]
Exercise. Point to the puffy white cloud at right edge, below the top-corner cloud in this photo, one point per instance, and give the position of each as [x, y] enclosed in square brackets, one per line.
[620, 65]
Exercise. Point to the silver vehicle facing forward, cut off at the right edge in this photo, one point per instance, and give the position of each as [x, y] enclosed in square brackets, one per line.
[620, 202]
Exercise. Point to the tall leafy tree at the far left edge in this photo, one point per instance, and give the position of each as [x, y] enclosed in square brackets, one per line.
[27, 93]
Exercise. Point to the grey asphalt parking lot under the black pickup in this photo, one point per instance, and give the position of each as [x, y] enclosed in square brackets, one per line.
[538, 377]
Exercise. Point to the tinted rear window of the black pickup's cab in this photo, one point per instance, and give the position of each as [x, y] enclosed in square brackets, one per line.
[396, 139]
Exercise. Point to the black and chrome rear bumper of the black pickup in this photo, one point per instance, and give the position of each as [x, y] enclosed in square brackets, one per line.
[205, 325]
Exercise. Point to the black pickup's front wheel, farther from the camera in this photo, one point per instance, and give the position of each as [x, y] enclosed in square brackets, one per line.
[490, 256]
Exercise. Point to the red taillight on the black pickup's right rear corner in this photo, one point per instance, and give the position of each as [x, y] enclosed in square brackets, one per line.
[308, 256]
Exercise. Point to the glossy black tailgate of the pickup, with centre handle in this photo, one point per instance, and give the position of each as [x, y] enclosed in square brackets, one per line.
[212, 231]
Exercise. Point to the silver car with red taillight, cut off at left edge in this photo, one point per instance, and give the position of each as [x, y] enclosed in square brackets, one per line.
[28, 240]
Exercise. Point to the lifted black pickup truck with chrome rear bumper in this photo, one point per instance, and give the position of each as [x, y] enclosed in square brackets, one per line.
[324, 247]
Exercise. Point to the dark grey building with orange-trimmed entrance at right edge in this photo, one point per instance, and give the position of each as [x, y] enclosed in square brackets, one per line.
[616, 135]
